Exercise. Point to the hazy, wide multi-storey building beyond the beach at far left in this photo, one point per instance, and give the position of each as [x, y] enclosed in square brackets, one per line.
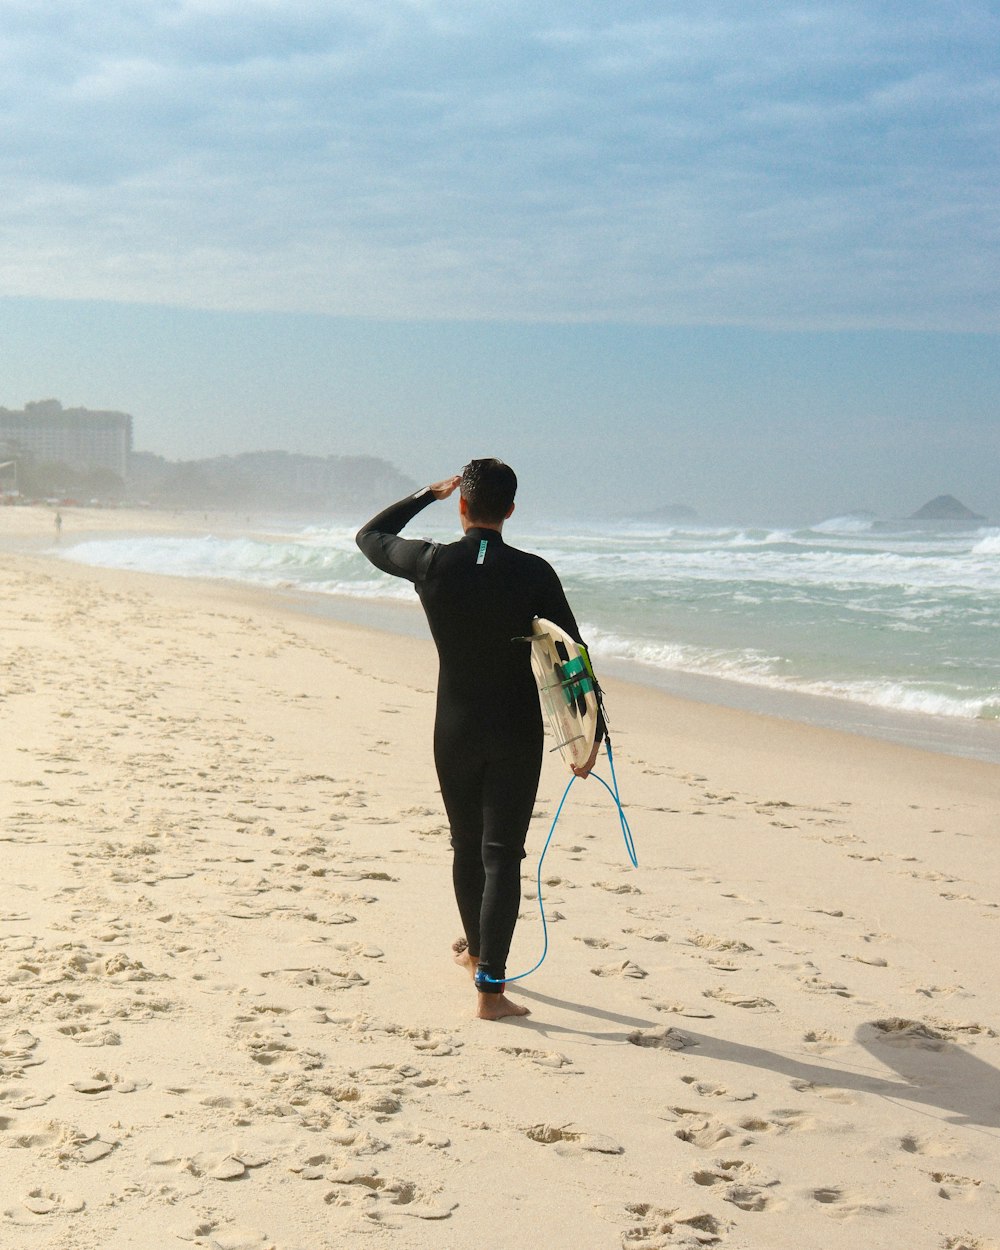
[76, 437]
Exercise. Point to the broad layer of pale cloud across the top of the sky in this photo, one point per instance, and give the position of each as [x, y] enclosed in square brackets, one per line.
[821, 164]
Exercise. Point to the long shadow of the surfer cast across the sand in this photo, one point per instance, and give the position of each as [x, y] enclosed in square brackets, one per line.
[931, 1069]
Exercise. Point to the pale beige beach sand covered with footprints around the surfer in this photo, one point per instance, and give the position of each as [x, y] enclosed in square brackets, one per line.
[229, 1016]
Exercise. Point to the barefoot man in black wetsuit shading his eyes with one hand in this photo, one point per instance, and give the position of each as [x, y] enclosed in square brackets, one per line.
[481, 598]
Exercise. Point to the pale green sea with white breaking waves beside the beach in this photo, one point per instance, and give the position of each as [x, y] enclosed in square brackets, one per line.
[878, 628]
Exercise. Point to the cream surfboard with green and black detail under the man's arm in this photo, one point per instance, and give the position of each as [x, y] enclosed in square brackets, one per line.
[567, 688]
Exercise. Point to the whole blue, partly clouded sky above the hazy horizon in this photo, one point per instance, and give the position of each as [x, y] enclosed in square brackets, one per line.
[739, 257]
